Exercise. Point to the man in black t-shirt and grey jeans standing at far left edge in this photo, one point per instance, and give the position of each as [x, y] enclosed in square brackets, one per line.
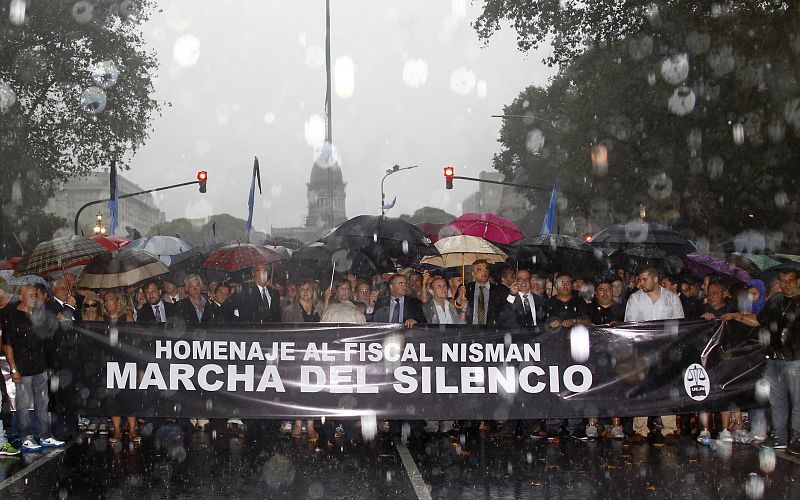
[24, 346]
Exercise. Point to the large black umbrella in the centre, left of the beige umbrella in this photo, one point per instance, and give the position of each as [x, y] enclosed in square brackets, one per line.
[380, 238]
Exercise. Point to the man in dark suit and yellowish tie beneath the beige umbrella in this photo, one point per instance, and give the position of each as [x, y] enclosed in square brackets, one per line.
[494, 310]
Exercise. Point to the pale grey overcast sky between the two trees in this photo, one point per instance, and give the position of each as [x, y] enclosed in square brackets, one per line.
[247, 78]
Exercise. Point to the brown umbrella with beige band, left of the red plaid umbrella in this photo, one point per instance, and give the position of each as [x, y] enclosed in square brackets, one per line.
[120, 268]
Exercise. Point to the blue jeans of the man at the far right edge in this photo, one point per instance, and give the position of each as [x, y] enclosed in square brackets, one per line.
[784, 395]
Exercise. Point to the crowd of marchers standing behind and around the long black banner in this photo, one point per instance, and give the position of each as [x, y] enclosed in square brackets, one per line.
[501, 298]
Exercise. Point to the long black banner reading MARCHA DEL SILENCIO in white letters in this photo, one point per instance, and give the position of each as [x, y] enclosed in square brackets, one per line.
[435, 372]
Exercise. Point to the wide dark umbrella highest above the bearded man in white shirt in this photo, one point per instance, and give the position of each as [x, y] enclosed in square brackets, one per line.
[638, 233]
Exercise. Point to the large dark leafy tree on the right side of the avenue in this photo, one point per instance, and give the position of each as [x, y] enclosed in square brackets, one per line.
[694, 118]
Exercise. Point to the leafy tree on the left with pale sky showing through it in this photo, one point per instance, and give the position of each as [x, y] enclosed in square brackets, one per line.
[75, 94]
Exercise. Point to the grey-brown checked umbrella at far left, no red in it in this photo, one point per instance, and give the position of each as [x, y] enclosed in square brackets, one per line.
[56, 254]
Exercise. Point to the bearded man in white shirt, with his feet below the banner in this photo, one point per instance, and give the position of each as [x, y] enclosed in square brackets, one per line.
[653, 302]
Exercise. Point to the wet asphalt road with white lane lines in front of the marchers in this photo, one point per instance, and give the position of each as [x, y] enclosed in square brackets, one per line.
[481, 467]
